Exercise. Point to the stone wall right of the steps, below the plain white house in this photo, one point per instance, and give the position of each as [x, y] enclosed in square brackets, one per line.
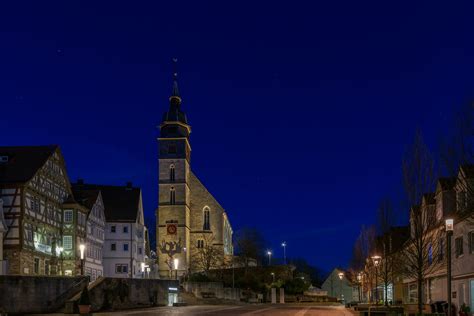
[119, 294]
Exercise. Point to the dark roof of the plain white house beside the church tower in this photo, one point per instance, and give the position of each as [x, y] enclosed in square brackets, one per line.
[121, 203]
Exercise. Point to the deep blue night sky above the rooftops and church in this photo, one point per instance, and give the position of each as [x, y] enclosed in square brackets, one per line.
[300, 111]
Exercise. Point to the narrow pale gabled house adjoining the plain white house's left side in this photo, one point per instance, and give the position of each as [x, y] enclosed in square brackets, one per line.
[95, 234]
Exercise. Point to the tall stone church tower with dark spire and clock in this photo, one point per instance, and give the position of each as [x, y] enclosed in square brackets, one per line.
[173, 213]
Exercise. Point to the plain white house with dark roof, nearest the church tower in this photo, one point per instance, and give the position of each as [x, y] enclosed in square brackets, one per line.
[125, 245]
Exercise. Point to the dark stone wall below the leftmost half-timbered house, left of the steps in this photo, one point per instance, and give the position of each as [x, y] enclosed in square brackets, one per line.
[37, 294]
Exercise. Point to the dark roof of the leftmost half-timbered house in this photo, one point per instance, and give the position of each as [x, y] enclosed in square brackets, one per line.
[23, 162]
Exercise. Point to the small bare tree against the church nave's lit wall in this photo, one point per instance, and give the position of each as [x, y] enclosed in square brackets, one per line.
[206, 257]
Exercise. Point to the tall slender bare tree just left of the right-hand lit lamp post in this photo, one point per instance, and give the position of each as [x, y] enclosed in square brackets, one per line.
[423, 245]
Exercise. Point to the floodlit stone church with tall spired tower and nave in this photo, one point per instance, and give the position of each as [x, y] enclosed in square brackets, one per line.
[193, 231]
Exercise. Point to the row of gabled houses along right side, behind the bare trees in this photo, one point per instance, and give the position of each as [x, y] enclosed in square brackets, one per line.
[408, 265]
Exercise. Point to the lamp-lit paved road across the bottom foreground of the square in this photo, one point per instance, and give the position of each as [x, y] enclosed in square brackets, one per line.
[257, 310]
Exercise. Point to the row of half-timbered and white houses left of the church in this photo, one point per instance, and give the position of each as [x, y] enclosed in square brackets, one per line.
[47, 221]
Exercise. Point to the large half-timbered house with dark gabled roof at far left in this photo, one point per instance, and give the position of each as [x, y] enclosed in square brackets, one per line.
[34, 187]
